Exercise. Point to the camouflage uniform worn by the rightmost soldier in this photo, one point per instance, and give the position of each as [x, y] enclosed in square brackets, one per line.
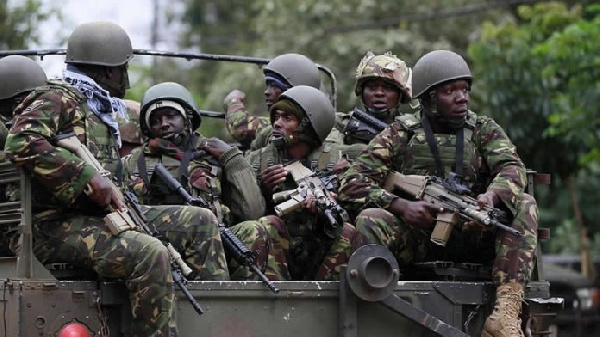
[490, 162]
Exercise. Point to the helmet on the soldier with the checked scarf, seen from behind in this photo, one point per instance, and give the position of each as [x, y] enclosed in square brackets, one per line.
[99, 43]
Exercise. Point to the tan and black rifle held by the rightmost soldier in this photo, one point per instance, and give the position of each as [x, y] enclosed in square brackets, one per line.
[452, 197]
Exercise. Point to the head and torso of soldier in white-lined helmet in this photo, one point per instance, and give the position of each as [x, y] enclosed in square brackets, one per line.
[170, 123]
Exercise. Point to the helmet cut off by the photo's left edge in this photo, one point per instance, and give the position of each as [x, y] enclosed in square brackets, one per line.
[19, 74]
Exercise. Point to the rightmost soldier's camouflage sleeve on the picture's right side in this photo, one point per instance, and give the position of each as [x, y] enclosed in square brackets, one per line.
[500, 155]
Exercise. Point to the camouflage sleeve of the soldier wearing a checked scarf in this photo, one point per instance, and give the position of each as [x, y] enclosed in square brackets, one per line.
[29, 144]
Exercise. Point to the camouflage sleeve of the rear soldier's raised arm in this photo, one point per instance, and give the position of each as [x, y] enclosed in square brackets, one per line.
[241, 125]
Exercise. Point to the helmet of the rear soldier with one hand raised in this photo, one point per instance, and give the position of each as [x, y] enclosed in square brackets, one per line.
[296, 69]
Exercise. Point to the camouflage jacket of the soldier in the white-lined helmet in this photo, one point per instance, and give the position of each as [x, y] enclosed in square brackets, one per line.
[227, 183]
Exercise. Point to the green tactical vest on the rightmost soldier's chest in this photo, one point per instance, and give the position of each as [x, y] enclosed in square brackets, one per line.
[418, 158]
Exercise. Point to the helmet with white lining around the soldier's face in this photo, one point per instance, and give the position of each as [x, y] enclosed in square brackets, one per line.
[164, 95]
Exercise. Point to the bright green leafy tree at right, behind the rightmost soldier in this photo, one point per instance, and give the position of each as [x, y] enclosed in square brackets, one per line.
[529, 75]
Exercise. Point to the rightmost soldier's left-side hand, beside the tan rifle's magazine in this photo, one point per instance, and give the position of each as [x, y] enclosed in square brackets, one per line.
[415, 213]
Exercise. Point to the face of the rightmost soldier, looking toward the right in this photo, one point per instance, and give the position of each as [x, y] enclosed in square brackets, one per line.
[453, 99]
